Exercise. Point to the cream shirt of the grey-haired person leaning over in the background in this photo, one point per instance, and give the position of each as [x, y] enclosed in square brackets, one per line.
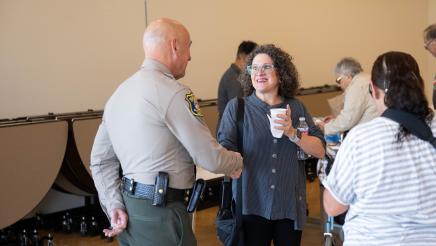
[358, 106]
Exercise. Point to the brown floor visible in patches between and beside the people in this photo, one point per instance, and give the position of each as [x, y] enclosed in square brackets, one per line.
[205, 228]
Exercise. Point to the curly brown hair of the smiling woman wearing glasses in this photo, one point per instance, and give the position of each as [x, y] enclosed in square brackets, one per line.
[286, 72]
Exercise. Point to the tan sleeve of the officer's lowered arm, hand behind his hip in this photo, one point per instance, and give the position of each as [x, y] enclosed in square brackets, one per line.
[105, 171]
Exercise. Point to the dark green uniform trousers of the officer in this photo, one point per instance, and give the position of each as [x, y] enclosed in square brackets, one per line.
[156, 226]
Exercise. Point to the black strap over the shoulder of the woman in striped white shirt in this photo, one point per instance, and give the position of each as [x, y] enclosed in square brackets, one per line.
[416, 126]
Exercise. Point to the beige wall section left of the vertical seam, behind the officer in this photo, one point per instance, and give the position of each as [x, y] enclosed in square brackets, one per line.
[63, 56]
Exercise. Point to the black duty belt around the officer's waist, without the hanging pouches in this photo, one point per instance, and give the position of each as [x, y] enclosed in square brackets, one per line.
[144, 191]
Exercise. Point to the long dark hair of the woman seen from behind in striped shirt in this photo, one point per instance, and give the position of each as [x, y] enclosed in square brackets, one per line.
[397, 73]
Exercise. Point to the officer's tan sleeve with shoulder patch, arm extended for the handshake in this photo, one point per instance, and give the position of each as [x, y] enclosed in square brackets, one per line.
[185, 121]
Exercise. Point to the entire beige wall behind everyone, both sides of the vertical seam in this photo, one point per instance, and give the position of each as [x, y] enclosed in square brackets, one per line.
[60, 56]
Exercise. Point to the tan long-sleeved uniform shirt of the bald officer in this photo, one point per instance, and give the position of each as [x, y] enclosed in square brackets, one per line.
[153, 123]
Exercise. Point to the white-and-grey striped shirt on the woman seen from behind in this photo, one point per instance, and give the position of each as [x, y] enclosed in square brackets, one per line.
[390, 186]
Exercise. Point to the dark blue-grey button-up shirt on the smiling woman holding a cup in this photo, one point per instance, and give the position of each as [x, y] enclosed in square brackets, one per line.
[273, 181]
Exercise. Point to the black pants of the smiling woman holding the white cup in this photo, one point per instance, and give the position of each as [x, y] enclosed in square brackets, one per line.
[260, 231]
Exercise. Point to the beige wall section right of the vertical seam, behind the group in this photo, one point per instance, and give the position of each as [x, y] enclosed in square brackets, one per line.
[316, 33]
